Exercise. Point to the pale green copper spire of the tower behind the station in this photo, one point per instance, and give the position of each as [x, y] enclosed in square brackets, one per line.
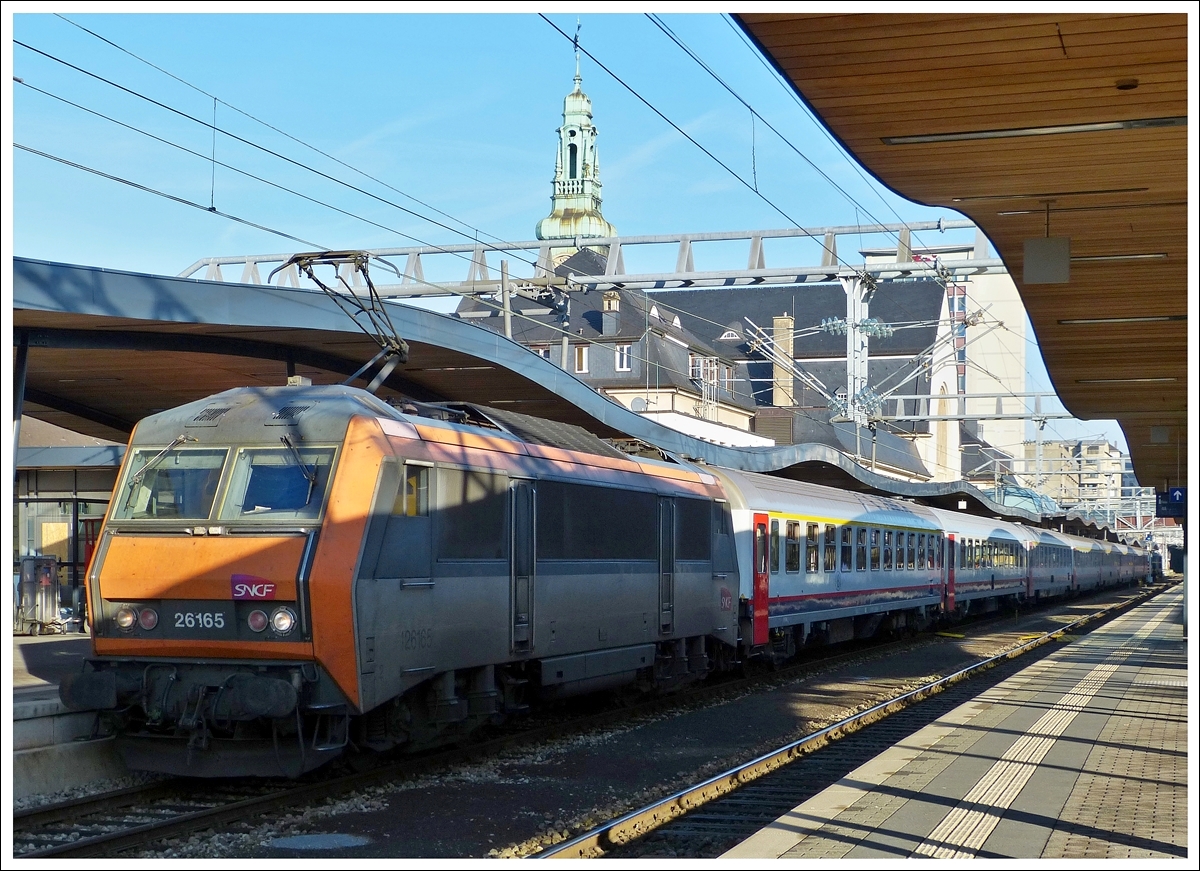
[577, 197]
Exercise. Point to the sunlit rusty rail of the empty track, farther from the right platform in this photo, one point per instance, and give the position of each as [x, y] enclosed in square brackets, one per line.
[643, 821]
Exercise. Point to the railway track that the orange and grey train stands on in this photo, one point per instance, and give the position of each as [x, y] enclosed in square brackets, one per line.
[118, 822]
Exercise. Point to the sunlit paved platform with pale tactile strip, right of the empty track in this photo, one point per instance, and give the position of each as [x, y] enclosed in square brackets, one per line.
[1082, 756]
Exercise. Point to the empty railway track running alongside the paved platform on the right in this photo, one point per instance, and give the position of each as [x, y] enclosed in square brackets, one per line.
[706, 820]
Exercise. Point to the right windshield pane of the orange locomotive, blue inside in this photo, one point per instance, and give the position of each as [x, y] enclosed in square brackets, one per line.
[278, 483]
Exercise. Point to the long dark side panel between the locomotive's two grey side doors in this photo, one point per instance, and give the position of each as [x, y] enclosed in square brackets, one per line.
[585, 522]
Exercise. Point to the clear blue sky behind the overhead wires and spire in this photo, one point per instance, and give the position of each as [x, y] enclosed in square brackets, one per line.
[455, 111]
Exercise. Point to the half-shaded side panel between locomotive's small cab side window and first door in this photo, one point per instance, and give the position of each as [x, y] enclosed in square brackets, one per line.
[472, 519]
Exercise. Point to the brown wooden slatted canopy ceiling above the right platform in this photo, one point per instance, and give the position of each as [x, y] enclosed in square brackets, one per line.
[875, 77]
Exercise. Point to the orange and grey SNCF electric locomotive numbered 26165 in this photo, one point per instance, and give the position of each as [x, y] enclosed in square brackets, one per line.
[287, 570]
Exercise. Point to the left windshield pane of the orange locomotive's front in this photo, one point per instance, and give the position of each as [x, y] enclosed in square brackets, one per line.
[172, 484]
